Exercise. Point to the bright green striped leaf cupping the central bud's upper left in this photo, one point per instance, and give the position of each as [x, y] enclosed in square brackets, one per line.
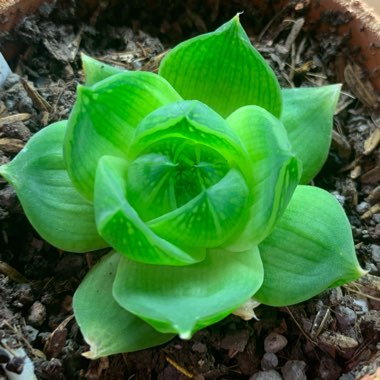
[104, 119]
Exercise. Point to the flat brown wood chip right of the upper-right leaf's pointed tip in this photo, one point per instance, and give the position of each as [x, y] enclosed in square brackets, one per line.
[362, 89]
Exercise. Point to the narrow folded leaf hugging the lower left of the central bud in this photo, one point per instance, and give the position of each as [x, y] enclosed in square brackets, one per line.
[121, 226]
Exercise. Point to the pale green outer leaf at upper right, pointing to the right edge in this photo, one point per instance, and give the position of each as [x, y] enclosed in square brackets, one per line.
[308, 118]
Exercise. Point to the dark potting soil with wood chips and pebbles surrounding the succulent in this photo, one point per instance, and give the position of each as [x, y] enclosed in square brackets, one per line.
[333, 336]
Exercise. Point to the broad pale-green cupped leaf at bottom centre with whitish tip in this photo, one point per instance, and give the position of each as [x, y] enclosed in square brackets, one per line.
[185, 299]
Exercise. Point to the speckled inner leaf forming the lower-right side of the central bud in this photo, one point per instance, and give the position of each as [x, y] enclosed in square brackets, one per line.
[208, 219]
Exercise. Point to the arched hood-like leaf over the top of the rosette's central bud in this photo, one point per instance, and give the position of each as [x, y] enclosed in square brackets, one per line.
[193, 121]
